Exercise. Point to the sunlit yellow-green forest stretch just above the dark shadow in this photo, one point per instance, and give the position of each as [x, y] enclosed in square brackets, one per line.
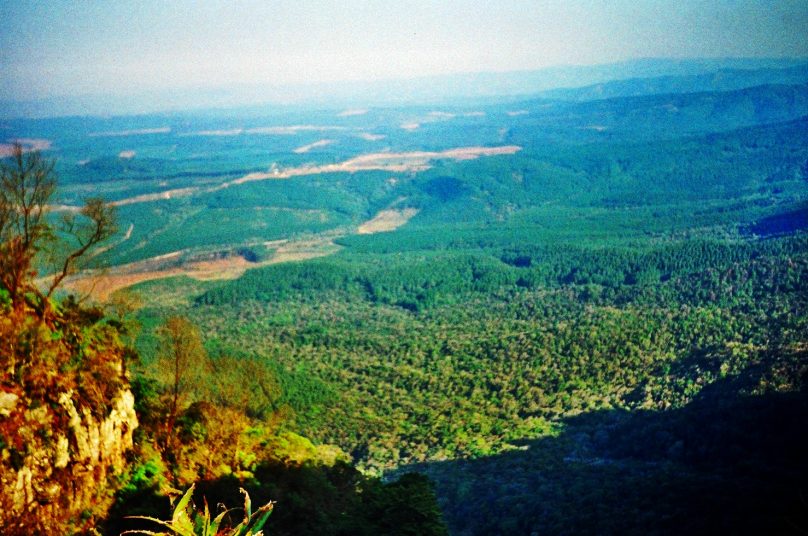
[451, 354]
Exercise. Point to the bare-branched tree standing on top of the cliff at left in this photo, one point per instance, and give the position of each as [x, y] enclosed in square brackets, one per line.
[27, 185]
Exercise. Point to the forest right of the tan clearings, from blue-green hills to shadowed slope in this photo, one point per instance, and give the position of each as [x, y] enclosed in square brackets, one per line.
[542, 336]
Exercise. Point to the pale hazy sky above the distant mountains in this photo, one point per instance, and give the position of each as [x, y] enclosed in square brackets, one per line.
[122, 46]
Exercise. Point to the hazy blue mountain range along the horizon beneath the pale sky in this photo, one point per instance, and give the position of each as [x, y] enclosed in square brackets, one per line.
[572, 83]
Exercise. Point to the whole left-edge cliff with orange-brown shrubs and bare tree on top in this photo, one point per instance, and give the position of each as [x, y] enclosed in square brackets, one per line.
[67, 416]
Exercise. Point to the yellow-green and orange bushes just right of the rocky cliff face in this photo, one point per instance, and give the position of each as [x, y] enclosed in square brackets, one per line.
[220, 421]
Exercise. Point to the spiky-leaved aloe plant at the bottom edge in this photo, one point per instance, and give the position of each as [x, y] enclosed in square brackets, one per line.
[188, 521]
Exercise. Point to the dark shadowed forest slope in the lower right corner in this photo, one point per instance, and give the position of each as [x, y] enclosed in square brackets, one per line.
[731, 461]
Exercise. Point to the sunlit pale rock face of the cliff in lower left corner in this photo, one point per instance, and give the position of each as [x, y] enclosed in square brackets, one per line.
[56, 460]
